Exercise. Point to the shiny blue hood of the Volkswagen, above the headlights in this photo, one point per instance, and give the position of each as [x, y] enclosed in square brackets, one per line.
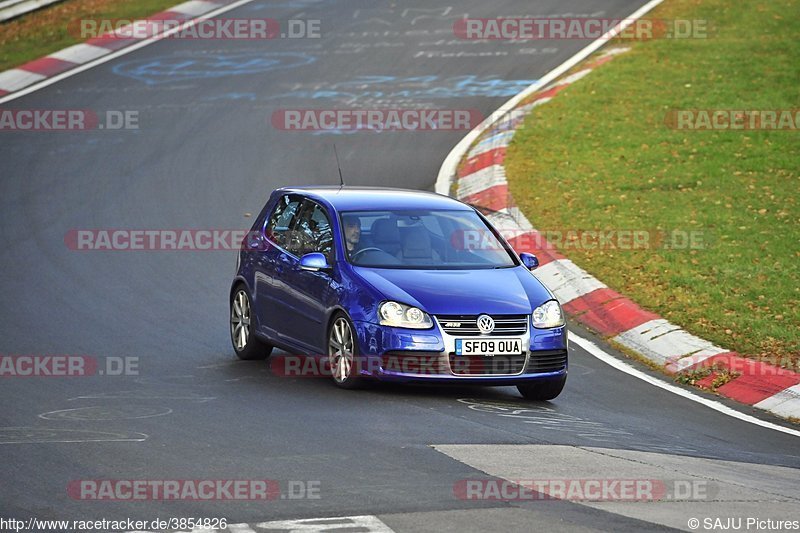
[465, 292]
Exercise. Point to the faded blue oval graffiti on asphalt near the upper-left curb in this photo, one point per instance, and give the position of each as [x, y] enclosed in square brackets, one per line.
[166, 69]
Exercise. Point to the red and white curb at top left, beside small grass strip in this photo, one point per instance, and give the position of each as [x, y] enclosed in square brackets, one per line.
[74, 56]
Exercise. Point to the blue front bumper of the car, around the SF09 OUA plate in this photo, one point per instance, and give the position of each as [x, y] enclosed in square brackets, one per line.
[403, 355]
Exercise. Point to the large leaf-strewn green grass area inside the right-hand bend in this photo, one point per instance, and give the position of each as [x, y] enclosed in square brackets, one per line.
[601, 156]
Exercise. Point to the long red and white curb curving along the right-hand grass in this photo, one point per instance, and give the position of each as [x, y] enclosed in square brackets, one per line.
[479, 178]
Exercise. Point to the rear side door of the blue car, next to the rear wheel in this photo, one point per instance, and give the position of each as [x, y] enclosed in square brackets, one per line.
[273, 264]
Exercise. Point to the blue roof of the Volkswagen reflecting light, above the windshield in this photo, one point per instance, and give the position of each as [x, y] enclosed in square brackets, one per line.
[376, 198]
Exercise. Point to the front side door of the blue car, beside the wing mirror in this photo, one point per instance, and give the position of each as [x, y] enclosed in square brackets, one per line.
[310, 293]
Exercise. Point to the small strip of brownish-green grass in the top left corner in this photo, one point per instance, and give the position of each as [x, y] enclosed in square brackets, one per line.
[45, 31]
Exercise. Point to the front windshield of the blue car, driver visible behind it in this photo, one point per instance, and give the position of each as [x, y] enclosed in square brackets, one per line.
[445, 239]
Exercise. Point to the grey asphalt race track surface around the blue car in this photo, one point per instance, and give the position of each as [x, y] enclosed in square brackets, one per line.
[206, 155]
